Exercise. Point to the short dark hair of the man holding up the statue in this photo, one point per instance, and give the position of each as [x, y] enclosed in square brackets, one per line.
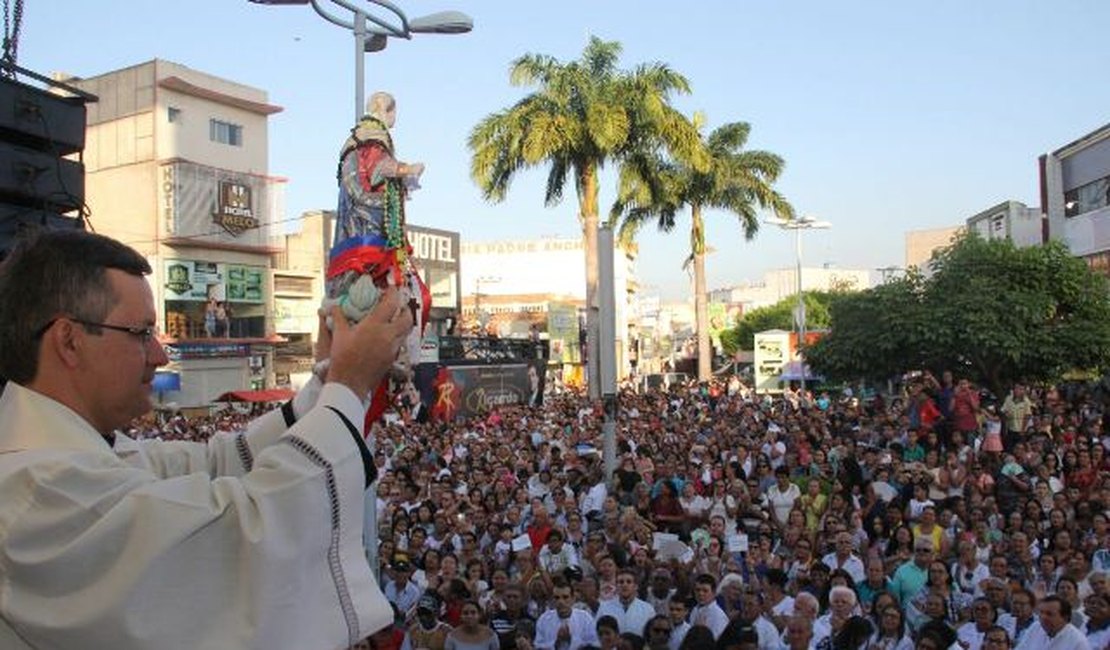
[52, 275]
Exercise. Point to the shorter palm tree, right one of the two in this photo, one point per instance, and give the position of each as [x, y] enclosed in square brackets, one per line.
[736, 181]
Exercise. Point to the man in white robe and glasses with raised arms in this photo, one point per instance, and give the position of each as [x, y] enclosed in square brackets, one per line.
[249, 542]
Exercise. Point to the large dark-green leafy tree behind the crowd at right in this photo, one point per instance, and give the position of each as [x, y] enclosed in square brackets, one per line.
[991, 311]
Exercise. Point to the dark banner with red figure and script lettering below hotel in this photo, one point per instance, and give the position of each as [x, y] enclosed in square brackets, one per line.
[468, 391]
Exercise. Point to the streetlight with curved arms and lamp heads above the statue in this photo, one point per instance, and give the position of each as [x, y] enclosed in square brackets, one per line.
[372, 33]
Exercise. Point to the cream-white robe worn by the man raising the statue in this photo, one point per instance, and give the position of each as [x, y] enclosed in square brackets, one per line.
[250, 541]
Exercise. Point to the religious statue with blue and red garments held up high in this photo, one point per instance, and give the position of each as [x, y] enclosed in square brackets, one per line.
[370, 250]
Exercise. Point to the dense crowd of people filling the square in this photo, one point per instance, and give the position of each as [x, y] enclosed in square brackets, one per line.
[939, 519]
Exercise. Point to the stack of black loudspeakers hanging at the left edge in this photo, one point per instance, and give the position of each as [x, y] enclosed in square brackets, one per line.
[42, 140]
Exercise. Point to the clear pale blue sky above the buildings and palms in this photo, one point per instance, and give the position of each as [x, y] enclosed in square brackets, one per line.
[892, 116]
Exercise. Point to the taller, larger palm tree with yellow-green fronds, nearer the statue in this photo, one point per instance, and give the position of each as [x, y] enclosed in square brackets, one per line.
[582, 116]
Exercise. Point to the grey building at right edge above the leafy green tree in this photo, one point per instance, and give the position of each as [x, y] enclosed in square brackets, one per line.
[1075, 194]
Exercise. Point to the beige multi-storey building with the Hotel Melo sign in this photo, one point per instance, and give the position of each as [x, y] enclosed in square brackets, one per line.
[177, 167]
